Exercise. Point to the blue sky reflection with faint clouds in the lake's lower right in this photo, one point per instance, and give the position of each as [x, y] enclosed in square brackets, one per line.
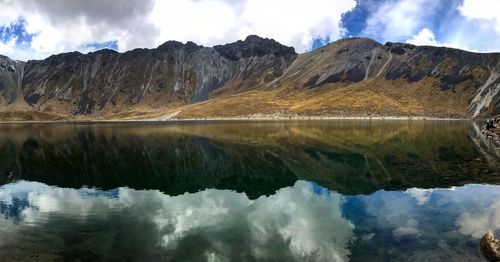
[423, 225]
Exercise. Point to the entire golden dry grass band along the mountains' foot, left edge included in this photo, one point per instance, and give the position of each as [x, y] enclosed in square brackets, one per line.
[375, 97]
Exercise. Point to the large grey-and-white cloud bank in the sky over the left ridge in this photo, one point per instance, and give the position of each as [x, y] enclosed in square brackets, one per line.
[66, 26]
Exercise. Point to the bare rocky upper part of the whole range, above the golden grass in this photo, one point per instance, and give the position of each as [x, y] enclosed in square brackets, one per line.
[176, 74]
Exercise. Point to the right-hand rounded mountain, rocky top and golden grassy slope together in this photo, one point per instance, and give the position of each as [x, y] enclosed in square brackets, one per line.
[360, 77]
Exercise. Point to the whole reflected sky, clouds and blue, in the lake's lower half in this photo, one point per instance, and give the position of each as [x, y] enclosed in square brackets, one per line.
[304, 221]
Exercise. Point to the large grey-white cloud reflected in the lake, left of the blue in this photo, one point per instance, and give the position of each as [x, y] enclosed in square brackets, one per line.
[309, 226]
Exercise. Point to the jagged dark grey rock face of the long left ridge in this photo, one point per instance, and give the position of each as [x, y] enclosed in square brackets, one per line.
[173, 72]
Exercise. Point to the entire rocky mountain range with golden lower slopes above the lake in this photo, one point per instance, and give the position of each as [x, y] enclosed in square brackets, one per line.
[254, 77]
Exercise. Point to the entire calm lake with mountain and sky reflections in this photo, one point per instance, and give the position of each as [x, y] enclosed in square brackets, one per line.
[336, 190]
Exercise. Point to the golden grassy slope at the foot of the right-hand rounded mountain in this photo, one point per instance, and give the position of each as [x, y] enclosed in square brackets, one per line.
[373, 97]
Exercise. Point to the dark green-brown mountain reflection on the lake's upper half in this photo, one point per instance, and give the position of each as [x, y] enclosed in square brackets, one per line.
[351, 157]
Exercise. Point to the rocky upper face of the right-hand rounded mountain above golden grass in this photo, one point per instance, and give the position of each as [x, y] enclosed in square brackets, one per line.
[436, 70]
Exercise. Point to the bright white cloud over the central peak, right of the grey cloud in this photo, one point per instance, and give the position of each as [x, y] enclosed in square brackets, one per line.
[296, 23]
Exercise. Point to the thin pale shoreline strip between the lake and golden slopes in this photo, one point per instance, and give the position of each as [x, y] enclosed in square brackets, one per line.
[241, 118]
